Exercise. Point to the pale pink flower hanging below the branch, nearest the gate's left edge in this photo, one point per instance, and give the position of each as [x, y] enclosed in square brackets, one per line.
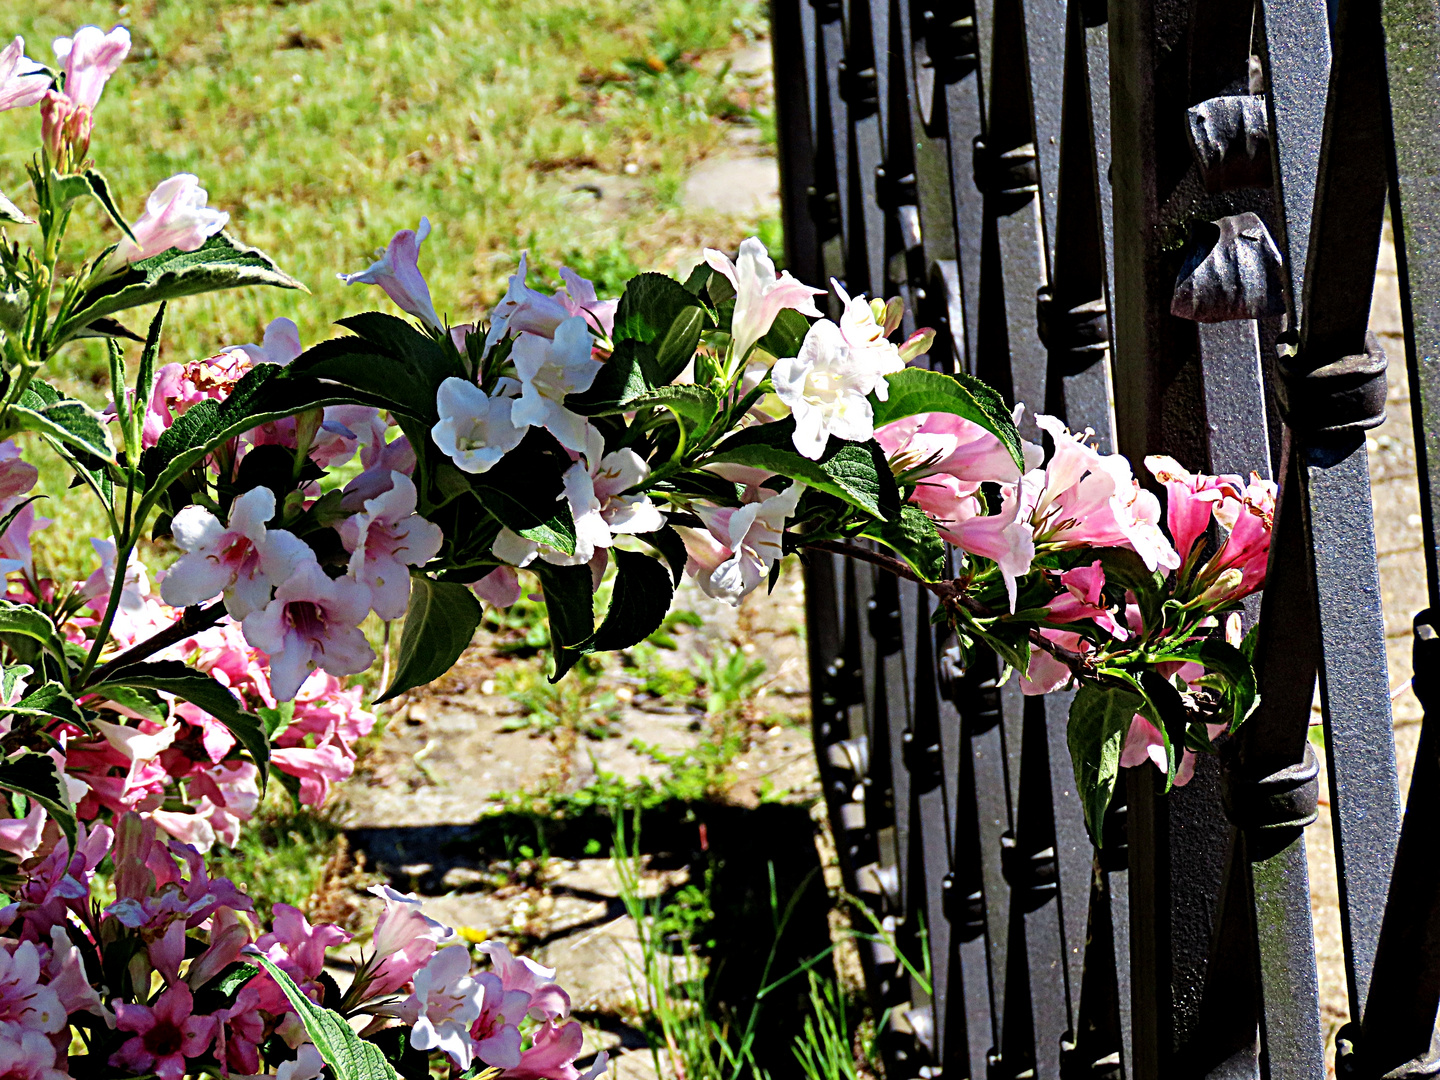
[739, 545]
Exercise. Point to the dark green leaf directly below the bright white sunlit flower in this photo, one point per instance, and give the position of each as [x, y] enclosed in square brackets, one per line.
[853, 472]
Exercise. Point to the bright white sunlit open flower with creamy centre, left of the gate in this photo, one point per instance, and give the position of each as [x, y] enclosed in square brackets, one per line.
[826, 390]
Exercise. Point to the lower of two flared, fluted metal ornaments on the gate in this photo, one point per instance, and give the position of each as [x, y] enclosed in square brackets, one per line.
[1232, 271]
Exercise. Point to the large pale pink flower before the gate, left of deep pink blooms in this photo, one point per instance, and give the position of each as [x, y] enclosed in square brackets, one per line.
[1086, 499]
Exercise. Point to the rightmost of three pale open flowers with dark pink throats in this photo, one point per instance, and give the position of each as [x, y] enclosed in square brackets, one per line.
[385, 539]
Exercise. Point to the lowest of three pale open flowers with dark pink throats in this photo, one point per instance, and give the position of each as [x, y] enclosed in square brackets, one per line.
[313, 623]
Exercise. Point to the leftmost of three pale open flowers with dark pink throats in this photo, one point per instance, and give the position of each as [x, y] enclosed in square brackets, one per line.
[244, 559]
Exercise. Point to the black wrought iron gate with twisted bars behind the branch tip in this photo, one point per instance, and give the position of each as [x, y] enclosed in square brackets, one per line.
[1158, 221]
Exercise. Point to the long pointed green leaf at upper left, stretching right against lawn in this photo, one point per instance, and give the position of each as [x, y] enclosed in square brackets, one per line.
[218, 264]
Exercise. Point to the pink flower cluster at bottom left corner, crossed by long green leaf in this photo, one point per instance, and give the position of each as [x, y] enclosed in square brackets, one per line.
[156, 983]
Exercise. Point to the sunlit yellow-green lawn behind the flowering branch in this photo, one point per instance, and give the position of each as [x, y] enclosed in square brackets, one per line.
[565, 127]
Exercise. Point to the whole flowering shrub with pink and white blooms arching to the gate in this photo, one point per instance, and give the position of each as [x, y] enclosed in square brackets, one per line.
[702, 428]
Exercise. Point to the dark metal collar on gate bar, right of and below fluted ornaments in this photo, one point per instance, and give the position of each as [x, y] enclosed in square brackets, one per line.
[1341, 397]
